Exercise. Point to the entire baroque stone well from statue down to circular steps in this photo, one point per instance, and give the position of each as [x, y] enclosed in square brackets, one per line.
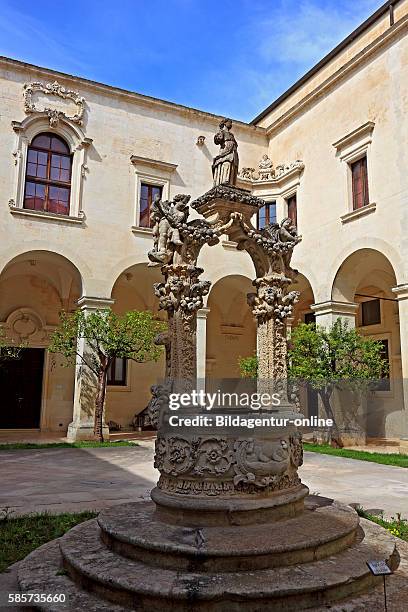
[230, 526]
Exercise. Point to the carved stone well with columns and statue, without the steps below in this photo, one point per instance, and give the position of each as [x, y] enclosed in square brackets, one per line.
[199, 464]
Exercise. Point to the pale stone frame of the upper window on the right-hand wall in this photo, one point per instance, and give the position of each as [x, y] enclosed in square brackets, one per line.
[349, 149]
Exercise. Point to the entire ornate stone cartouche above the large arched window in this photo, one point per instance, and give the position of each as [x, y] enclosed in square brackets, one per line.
[55, 101]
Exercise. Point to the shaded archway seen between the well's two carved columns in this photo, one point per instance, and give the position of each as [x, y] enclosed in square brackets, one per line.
[231, 330]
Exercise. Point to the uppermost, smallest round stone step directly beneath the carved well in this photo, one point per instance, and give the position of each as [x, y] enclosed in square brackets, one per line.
[132, 530]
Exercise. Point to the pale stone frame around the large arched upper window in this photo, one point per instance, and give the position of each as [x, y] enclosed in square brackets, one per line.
[78, 144]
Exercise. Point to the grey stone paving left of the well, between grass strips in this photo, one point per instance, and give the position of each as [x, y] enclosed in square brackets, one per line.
[75, 479]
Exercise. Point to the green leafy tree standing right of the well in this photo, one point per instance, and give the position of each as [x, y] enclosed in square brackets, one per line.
[331, 358]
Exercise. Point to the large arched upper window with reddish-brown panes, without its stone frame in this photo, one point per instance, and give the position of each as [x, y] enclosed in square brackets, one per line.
[48, 175]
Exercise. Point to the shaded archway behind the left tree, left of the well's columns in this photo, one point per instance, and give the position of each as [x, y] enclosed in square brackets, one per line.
[128, 391]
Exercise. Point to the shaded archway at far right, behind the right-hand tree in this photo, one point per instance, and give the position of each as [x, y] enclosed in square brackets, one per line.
[366, 278]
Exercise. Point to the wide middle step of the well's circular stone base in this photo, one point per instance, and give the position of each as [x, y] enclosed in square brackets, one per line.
[139, 586]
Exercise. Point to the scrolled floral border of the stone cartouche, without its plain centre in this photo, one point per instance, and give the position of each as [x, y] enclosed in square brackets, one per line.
[54, 114]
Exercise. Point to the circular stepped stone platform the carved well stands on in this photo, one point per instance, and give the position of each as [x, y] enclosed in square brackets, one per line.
[129, 559]
